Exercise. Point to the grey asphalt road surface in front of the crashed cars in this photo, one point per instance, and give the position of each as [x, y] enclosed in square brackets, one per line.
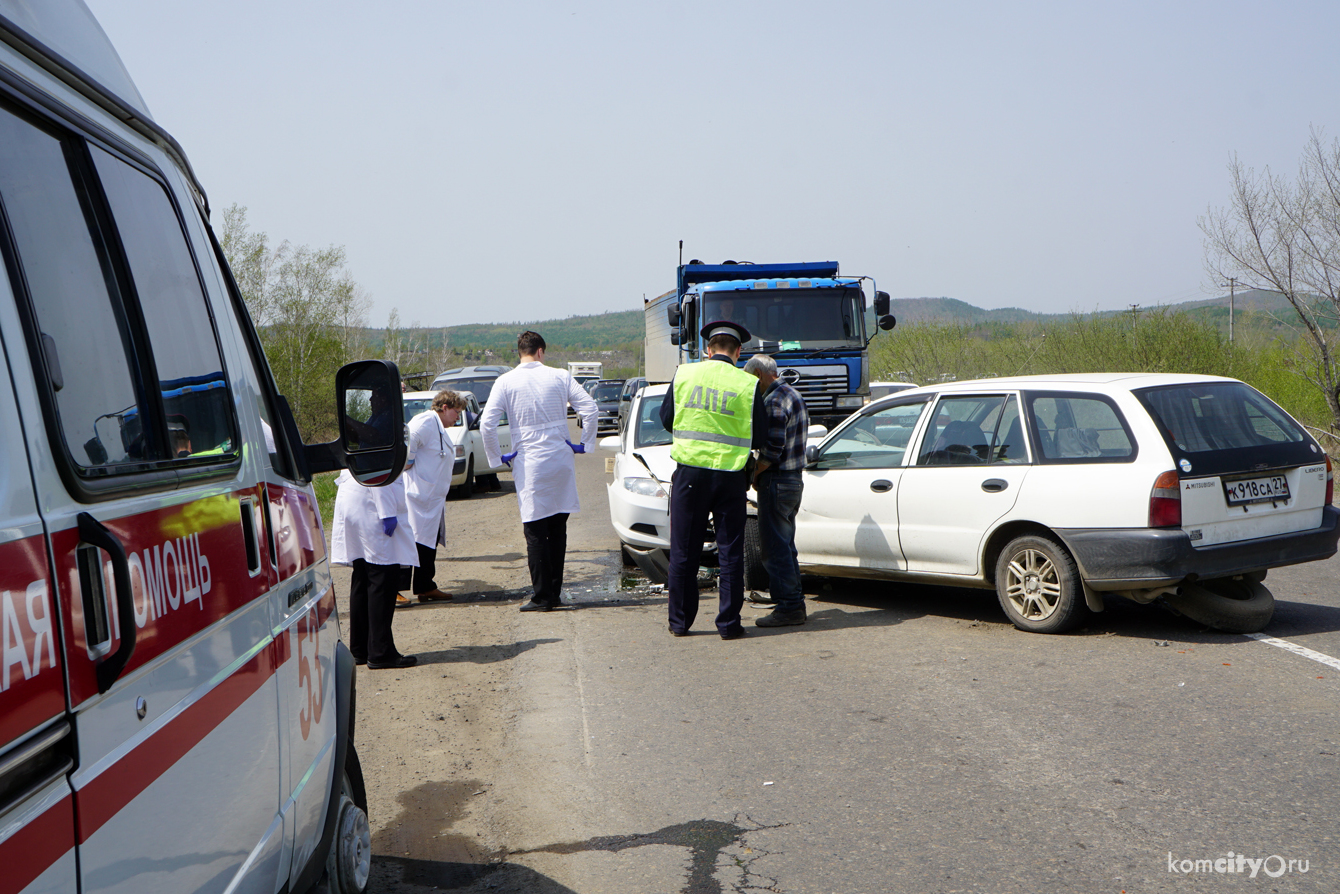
[909, 739]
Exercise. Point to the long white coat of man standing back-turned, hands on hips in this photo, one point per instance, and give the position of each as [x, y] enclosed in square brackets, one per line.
[537, 399]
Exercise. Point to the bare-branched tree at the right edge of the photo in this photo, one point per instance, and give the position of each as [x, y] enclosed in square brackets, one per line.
[1284, 237]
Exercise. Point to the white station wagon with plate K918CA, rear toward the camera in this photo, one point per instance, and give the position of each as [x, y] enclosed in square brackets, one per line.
[1061, 491]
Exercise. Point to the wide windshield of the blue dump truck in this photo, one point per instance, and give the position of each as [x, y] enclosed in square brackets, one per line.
[807, 318]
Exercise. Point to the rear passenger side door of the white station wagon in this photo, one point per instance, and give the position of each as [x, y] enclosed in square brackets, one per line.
[972, 459]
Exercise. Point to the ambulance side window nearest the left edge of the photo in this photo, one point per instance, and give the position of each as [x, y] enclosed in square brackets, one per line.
[73, 293]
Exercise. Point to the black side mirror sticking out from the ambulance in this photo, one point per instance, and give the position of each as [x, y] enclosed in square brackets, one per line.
[372, 432]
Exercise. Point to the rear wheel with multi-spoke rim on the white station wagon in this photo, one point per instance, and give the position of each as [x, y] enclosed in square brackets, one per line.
[1039, 586]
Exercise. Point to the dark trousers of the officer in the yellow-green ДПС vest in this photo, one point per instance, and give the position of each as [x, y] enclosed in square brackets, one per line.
[695, 494]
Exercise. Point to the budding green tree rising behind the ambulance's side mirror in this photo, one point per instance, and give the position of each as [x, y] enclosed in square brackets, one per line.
[309, 312]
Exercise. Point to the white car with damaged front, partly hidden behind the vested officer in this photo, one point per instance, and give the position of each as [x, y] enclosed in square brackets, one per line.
[640, 494]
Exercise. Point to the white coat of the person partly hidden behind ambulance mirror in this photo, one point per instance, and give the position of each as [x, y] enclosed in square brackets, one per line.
[357, 533]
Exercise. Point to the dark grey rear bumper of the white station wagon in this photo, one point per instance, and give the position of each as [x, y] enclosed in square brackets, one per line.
[1138, 558]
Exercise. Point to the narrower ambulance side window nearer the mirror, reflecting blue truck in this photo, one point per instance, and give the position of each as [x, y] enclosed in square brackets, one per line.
[191, 371]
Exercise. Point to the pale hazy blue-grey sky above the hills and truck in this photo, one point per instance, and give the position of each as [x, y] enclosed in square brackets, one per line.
[506, 162]
